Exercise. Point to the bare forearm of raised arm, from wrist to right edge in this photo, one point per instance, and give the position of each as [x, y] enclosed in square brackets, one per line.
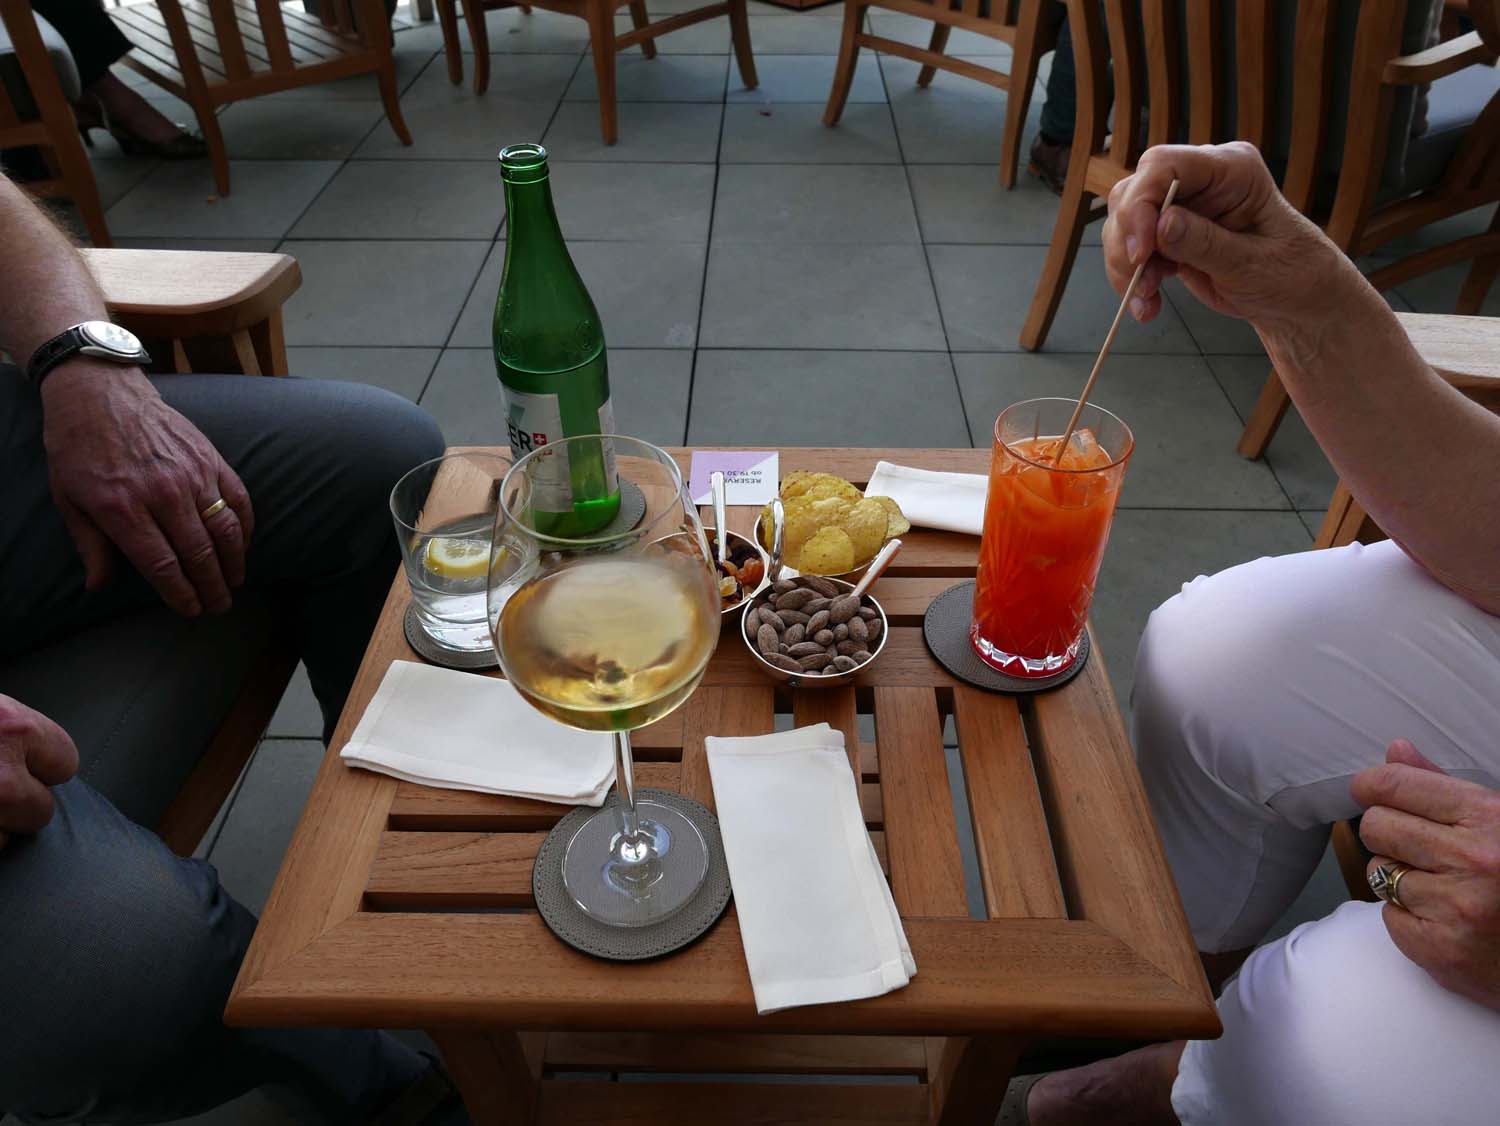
[1418, 455]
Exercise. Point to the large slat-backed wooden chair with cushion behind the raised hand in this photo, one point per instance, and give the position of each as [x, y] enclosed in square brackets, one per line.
[1333, 164]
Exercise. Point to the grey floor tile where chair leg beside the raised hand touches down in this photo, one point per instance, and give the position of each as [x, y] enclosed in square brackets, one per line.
[988, 290]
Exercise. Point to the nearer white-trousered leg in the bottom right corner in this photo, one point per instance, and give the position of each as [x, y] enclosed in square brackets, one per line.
[1334, 1025]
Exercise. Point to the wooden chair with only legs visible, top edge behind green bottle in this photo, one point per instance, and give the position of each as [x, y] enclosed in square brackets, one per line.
[605, 43]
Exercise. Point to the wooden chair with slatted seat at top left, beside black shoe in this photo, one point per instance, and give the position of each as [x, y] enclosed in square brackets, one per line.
[211, 53]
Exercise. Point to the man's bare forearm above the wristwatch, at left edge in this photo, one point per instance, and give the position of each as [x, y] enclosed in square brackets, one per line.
[46, 287]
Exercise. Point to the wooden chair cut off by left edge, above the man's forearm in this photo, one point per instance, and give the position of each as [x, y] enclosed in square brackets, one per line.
[49, 121]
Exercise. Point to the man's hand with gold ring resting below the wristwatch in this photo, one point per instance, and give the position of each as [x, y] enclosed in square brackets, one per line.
[128, 469]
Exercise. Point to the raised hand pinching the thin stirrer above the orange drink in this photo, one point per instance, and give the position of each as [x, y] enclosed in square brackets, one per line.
[1237, 244]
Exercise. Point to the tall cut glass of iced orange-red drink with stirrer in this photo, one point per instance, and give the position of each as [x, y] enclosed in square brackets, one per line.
[1046, 523]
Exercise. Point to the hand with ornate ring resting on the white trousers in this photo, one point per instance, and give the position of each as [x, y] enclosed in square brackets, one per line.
[1448, 831]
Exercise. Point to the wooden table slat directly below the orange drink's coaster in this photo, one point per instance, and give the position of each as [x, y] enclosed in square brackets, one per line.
[1010, 828]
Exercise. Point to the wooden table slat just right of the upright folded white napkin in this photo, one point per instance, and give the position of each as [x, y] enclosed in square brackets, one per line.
[920, 828]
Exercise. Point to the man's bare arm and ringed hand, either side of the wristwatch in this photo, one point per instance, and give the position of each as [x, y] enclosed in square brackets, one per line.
[127, 472]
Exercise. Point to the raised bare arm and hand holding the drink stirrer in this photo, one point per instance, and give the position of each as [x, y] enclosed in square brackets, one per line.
[1421, 458]
